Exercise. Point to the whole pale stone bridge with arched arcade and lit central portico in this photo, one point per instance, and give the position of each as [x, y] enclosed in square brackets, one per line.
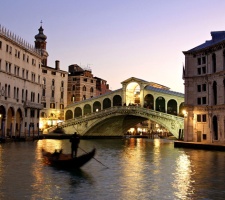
[112, 114]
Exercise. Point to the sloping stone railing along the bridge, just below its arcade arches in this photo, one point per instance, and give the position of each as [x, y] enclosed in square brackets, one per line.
[118, 109]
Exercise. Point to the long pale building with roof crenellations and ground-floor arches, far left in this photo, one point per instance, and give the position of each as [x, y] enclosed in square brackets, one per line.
[20, 86]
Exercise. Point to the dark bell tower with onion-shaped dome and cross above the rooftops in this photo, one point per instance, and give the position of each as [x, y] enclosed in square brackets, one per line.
[40, 44]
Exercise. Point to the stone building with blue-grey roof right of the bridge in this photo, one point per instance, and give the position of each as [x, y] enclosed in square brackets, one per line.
[204, 80]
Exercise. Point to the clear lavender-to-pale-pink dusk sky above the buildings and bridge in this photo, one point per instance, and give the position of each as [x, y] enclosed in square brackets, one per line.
[118, 39]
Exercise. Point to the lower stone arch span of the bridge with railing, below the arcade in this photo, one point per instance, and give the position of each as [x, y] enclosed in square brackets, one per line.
[115, 121]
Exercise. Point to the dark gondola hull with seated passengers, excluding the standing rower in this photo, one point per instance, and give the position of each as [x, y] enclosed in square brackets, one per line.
[61, 160]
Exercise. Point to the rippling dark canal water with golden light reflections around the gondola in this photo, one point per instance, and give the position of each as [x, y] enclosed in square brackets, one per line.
[136, 169]
